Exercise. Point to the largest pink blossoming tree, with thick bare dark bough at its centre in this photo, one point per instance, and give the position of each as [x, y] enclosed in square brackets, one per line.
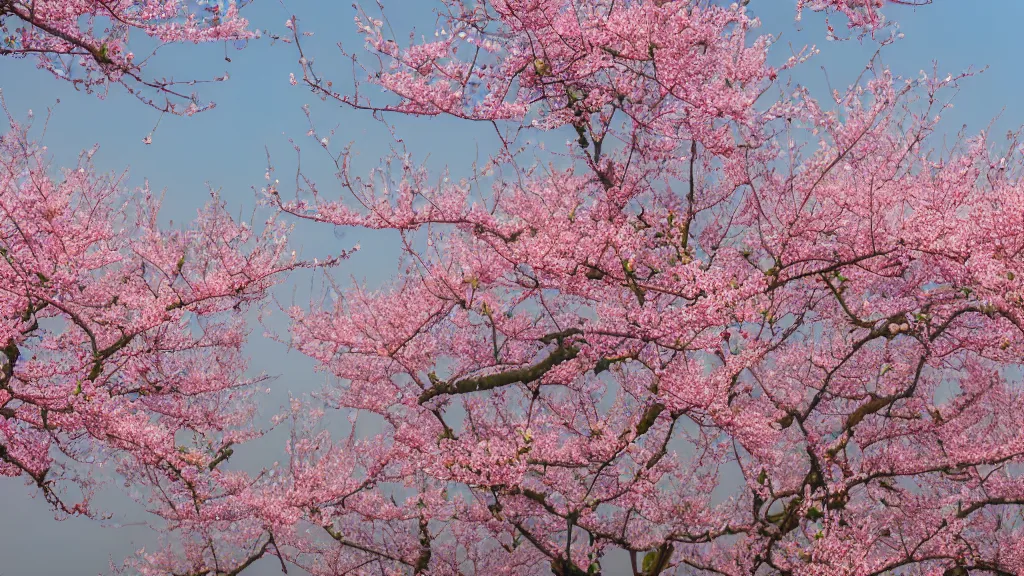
[726, 338]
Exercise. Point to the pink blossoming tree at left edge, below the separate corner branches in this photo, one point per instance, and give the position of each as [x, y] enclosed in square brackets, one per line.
[121, 343]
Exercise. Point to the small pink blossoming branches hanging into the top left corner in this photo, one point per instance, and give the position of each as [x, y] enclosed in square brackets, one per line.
[87, 43]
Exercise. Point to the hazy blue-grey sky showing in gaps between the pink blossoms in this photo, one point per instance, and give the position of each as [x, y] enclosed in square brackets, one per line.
[259, 111]
